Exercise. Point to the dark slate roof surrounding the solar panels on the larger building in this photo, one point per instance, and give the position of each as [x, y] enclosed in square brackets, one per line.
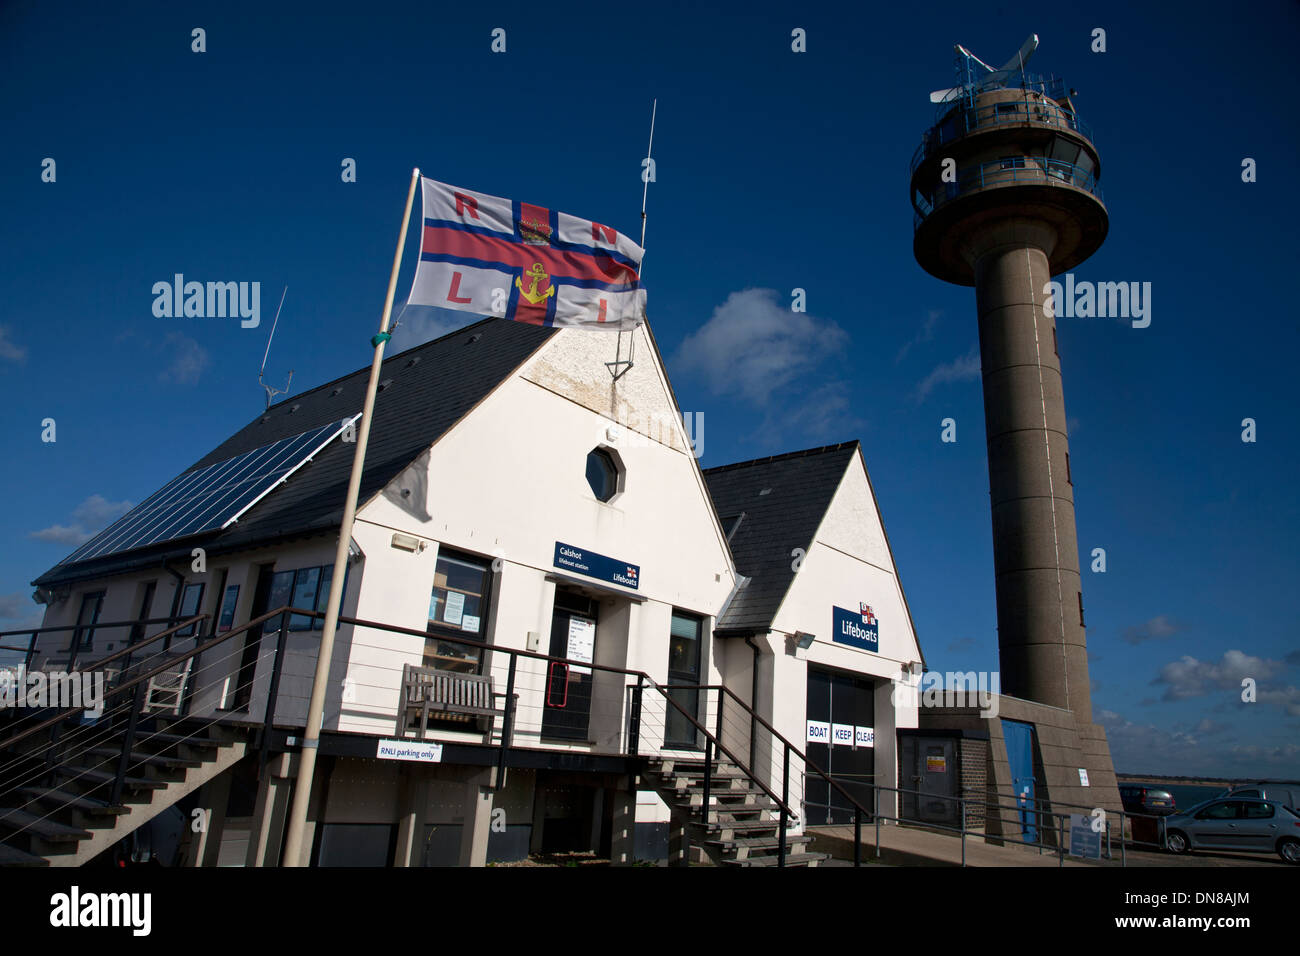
[430, 390]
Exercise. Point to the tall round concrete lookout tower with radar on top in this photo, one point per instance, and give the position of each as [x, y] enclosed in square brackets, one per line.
[1006, 192]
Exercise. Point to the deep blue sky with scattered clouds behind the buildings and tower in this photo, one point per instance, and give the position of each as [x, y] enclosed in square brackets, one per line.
[774, 171]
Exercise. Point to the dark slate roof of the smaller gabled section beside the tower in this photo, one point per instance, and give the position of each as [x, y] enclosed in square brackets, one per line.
[800, 487]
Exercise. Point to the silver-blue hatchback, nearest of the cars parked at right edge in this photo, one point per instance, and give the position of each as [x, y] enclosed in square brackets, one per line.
[1241, 824]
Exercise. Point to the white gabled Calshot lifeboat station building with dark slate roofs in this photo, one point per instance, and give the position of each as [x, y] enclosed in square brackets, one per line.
[558, 634]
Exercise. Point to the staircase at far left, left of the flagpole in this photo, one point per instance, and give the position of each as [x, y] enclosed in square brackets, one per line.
[67, 816]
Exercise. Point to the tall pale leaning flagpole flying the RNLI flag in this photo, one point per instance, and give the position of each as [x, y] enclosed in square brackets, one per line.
[317, 710]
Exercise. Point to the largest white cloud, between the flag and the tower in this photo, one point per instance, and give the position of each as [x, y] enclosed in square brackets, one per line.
[755, 347]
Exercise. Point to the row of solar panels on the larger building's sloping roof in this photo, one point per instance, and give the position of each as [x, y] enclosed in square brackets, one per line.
[210, 499]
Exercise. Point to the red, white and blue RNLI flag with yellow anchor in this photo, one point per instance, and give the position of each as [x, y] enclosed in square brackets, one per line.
[495, 257]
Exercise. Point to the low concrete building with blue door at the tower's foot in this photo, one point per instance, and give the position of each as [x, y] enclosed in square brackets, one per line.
[1060, 747]
